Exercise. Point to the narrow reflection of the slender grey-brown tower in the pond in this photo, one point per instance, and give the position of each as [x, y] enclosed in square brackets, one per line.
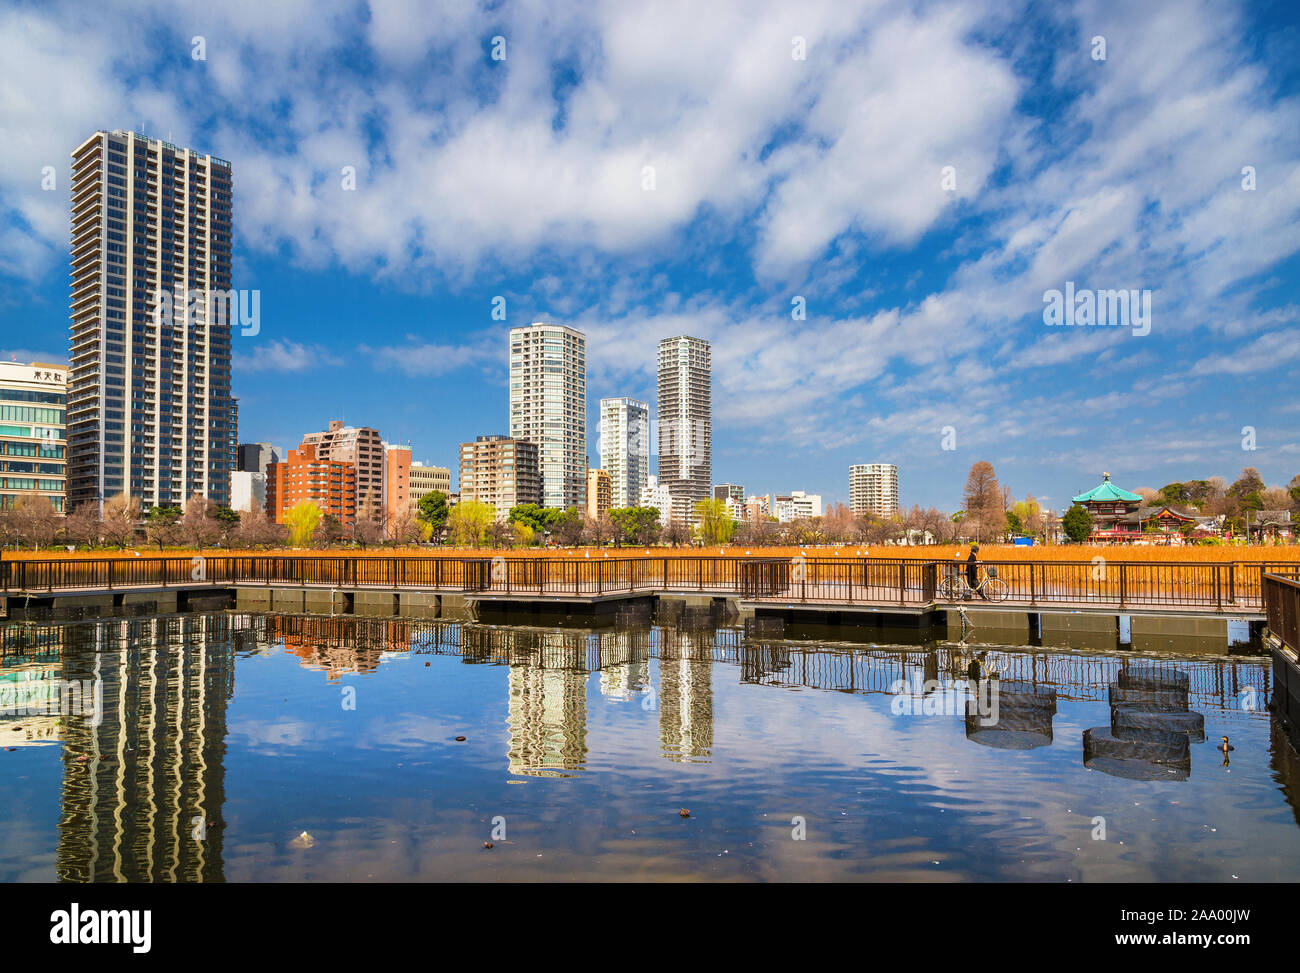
[686, 695]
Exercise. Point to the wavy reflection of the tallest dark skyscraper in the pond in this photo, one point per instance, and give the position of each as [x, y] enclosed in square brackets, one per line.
[145, 779]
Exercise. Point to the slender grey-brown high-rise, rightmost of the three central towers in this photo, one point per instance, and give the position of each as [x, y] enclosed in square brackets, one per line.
[686, 423]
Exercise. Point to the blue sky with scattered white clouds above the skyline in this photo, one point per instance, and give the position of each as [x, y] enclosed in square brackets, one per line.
[774, 178]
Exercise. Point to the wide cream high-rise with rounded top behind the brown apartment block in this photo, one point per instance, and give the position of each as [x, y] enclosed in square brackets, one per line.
[548, 407]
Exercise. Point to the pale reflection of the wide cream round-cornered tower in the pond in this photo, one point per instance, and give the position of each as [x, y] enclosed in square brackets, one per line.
[548, 711]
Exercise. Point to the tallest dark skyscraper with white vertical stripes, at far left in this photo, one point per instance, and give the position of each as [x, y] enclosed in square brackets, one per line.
[149, 388]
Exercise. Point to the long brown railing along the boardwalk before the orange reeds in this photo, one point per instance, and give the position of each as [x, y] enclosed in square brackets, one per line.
[1229, 586]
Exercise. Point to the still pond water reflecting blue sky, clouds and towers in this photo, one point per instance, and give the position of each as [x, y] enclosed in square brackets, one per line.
[236, 747]
